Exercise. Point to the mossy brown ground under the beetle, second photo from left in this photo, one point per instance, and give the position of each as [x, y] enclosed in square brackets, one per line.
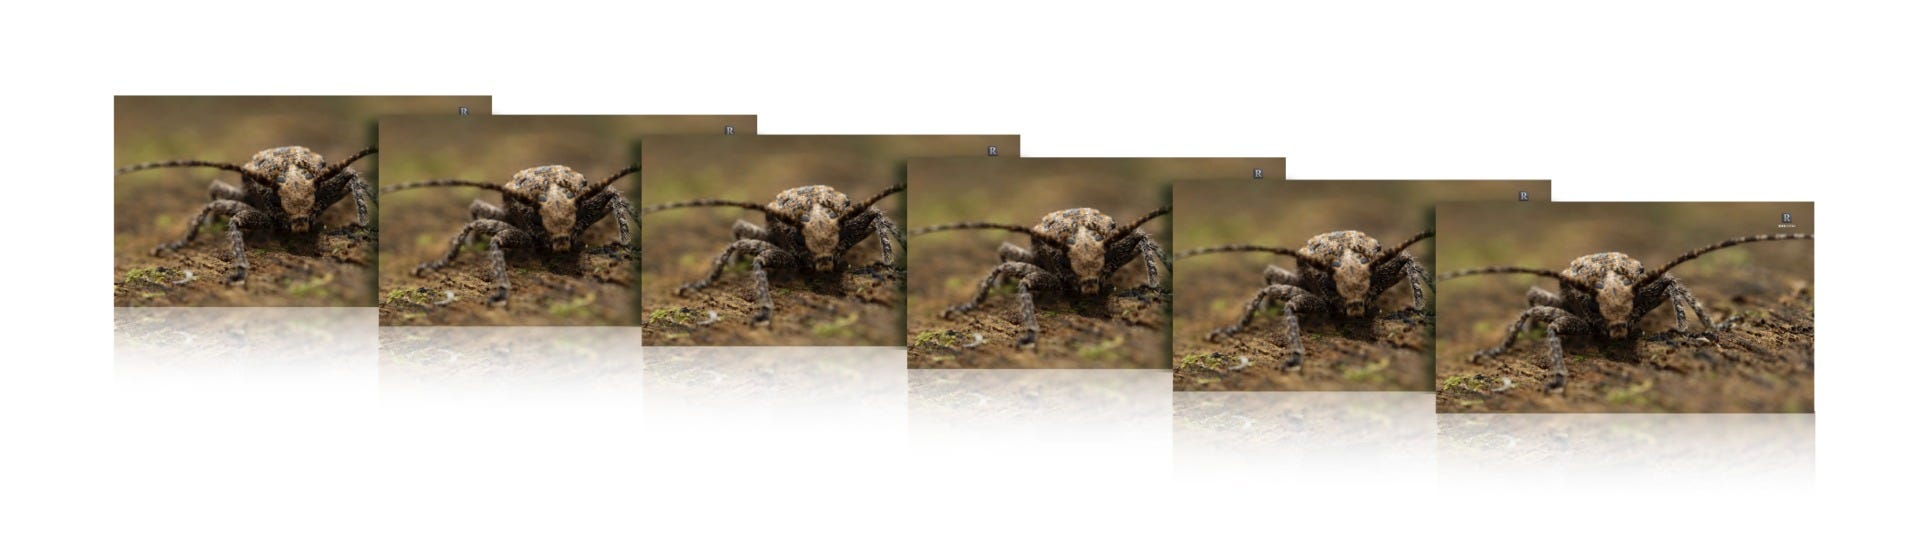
[417, 226]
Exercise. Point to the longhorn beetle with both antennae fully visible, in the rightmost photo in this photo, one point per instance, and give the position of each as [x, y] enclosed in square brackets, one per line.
[1603, 295]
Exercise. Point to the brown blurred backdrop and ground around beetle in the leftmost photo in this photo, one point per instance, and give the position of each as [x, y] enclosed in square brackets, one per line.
[154, 207]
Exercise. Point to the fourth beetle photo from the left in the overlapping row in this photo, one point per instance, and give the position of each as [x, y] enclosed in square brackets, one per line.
[1049, 264]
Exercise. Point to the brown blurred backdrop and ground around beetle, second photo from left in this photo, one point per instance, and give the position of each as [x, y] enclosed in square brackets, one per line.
[417, 226]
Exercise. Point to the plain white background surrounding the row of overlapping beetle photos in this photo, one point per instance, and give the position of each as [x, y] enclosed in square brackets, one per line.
[1615, 101]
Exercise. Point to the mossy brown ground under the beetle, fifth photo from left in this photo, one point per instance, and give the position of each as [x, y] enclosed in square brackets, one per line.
[1386, 353]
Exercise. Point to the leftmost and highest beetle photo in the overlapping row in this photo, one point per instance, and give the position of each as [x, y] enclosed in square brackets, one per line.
[252, 201]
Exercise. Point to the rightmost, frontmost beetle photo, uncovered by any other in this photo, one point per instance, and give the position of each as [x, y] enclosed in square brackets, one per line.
[1626, 308]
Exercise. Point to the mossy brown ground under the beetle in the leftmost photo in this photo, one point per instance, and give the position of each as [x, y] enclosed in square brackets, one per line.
[321, 270]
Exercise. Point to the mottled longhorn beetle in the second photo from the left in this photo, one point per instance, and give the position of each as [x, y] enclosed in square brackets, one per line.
[544, 208]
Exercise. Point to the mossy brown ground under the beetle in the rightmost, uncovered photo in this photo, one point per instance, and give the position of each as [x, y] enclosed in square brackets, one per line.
[1763, 364]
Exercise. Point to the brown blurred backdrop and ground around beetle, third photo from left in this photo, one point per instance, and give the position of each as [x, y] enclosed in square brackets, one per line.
[680, 245]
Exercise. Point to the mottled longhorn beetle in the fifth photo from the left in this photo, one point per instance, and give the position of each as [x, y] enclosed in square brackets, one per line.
[1340, 274]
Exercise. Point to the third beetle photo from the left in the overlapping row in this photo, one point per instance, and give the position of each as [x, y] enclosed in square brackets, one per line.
[782, 241]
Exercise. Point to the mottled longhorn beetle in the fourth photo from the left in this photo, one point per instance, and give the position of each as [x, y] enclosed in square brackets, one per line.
[1074, 251]
